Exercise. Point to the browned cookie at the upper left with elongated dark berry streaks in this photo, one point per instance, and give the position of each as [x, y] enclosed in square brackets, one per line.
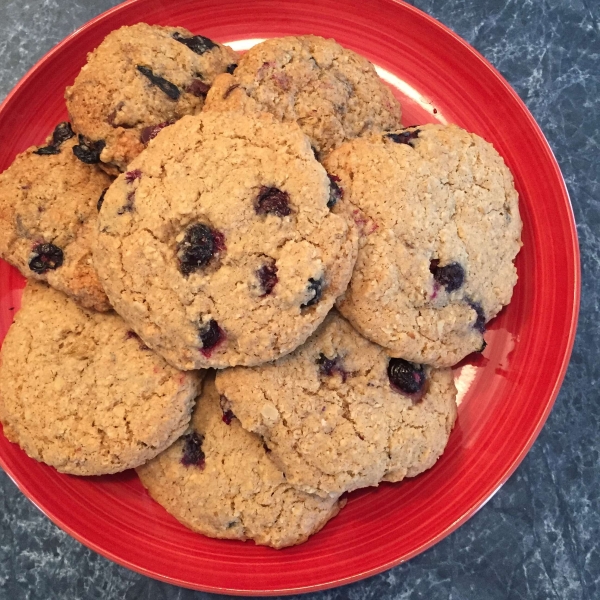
[150, 76]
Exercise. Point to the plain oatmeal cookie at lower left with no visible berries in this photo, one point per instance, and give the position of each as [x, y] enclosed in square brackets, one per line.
[80, 392]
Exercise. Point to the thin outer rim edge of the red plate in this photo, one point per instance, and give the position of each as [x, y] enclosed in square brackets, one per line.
[490, 490]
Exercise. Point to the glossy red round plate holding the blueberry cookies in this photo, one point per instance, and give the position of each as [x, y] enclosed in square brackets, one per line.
[506, 394]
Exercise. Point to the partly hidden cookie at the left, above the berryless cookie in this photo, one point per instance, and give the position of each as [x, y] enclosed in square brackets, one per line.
[48, 213]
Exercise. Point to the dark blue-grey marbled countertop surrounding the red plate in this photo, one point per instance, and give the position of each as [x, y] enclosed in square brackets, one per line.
[538, 538]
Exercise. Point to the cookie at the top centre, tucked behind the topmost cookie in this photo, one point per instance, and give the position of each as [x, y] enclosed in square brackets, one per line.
[331, 92]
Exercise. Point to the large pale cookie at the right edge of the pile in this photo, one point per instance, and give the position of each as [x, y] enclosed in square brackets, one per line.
[439, 233]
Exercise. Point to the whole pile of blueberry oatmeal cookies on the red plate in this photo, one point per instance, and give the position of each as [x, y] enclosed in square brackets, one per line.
[253, 196]
